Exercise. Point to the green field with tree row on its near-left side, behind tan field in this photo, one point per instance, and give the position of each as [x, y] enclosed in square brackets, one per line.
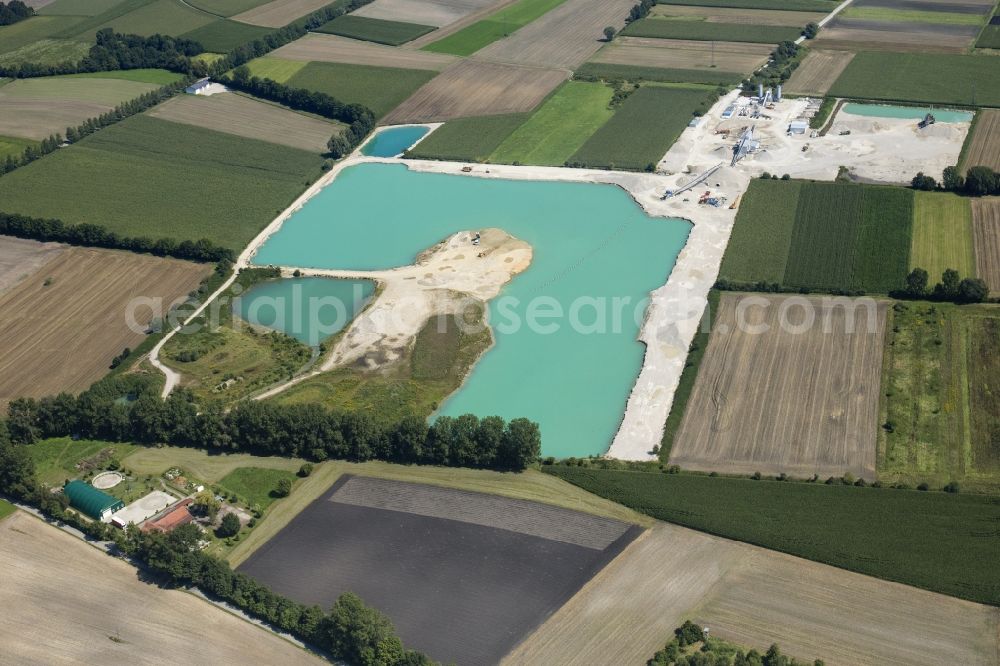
[381, 89]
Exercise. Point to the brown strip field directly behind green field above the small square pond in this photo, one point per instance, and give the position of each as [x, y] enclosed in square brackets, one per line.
[331, 48]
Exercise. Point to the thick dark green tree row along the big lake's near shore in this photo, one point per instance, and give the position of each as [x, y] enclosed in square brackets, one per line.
[268, 429]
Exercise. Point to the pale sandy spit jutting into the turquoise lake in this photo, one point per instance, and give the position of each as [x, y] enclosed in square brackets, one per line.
[444, 280]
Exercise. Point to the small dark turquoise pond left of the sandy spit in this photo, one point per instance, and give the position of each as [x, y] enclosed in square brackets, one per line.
[309, 309]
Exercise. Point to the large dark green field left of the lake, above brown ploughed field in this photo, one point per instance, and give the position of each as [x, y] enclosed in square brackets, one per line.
[188, 182]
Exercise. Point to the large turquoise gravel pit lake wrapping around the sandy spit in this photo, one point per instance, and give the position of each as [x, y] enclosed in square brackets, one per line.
[566, 352]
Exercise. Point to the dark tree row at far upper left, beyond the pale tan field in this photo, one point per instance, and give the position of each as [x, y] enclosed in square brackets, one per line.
[114, 51]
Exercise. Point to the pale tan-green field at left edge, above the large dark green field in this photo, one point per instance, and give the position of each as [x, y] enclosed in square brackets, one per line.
[36, 108]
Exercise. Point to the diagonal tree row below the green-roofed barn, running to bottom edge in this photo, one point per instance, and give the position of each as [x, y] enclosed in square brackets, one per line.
[351, 631]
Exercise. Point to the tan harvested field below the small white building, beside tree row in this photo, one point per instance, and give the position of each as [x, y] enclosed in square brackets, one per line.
[240, 115]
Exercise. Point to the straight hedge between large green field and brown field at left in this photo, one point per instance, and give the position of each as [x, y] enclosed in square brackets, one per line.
[92, 235]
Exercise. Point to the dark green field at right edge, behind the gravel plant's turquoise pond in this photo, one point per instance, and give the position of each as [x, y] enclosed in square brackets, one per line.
[921, 77]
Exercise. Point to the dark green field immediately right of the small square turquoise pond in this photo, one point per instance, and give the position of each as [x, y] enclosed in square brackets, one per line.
[468, 139]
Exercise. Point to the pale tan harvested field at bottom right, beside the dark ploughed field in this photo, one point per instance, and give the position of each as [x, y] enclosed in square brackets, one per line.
[755, 597]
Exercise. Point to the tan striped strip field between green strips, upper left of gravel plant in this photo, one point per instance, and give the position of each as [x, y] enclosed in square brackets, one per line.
[737, 57]
